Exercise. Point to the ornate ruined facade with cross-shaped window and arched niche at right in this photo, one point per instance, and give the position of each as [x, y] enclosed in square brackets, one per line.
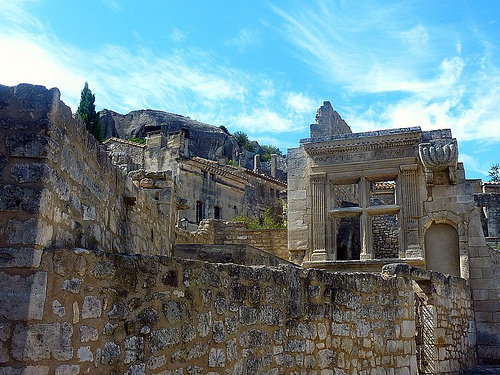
[359, 201]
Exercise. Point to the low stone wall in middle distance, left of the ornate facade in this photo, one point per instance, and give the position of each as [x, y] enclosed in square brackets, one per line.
[220, 232]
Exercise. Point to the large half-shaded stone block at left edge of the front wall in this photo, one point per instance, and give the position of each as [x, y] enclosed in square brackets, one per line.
[22, 297]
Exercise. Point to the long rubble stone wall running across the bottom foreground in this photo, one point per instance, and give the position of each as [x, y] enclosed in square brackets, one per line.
[82, 311]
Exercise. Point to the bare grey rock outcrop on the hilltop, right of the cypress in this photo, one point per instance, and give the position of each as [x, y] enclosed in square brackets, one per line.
[204, 140]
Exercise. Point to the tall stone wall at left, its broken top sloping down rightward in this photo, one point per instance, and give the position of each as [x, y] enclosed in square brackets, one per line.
[59, 188]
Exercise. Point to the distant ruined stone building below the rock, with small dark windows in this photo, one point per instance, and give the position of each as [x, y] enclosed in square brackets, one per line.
[201, 188]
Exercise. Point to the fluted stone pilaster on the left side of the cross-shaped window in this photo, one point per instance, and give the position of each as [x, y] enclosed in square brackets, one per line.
[318, 216]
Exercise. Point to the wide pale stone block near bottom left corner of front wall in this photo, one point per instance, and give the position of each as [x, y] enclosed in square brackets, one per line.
[42, 341]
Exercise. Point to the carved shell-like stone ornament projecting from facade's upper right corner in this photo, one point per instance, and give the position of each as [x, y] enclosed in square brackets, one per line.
[439, 155]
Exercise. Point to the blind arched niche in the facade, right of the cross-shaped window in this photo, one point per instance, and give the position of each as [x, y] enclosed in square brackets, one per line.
[442, 249]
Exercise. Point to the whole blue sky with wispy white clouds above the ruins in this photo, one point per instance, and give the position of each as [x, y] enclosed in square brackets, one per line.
[264, 67]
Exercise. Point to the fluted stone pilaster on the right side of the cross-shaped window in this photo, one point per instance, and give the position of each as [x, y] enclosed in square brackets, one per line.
[411, 211]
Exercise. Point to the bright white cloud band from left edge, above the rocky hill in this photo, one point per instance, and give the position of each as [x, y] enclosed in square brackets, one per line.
[185, 81]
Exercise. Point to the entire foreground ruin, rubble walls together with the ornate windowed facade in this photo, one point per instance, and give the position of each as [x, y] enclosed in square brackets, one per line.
[89, 283]
